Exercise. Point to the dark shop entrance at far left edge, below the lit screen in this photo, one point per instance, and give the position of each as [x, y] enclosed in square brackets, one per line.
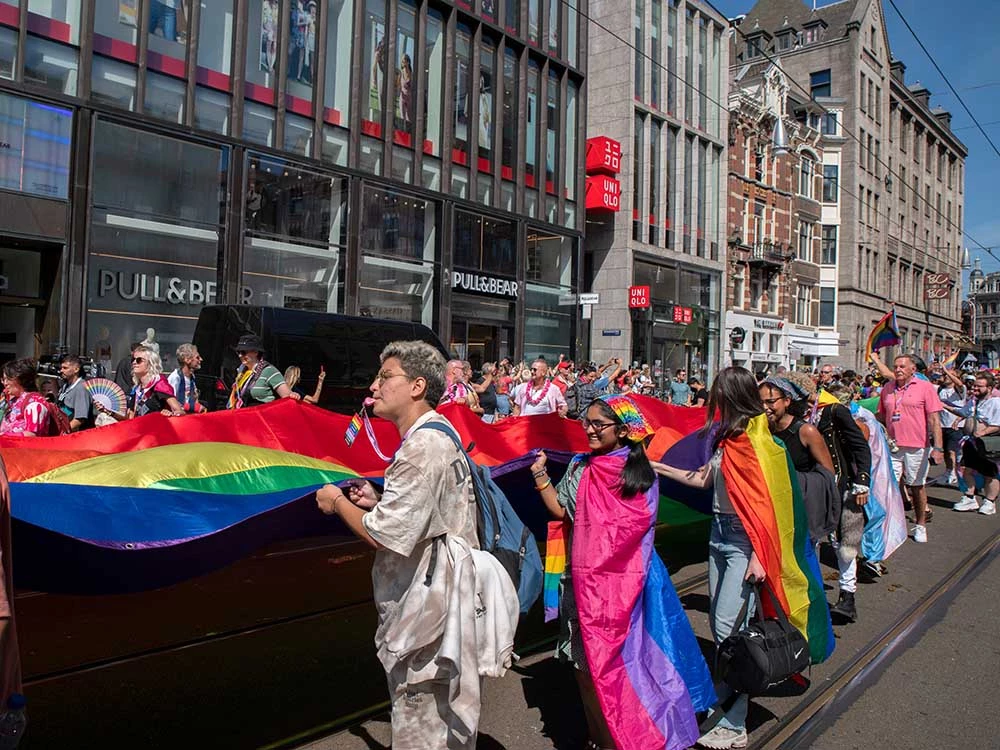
[26, 280]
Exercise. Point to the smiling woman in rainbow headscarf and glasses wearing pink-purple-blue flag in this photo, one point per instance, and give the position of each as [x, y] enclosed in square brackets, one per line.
[607, 500]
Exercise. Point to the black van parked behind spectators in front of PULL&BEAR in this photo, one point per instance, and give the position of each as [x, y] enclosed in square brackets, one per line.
[347, 346]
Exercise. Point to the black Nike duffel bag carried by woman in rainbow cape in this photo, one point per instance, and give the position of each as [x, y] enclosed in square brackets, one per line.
[765, 653]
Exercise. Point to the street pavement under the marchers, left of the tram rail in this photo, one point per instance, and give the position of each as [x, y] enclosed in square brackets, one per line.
[536, 705]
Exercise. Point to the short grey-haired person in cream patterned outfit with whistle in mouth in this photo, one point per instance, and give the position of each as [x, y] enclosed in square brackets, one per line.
[428, 494]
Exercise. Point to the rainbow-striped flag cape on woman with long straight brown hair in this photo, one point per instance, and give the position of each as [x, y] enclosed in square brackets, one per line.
[765, 493]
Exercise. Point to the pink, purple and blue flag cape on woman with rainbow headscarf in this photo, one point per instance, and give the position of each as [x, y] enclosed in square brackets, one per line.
[647, 668]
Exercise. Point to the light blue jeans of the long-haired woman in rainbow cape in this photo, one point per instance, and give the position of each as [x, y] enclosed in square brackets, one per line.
[729, 553]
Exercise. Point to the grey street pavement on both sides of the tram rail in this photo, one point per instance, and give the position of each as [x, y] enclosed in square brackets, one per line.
[925, 697]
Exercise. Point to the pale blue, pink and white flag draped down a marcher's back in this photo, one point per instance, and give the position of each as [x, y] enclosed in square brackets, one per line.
[885, 518]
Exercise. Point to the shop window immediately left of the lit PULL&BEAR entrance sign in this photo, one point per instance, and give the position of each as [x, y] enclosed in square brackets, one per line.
[398, 245]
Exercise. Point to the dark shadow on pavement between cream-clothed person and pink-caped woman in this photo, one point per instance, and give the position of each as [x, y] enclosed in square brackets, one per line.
[550, 687]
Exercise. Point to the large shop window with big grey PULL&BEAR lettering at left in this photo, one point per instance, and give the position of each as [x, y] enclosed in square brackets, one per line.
[154, 244]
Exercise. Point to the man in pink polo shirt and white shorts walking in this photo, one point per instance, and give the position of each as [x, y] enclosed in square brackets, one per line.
[910, 410]
